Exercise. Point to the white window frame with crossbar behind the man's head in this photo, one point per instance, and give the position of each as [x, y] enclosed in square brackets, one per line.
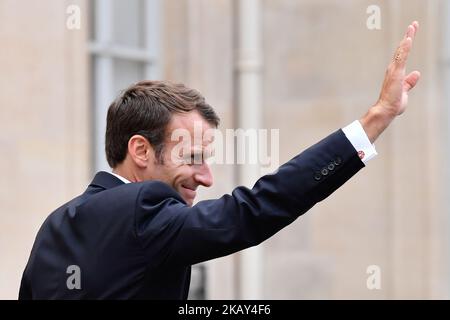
[104, 50]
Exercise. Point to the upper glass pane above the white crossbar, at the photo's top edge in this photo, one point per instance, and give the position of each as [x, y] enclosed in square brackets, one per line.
[128, 23]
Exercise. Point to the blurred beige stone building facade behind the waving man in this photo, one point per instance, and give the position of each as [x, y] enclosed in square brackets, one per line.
[311, 66]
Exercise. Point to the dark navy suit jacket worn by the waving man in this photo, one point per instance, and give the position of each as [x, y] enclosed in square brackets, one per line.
[139, 240]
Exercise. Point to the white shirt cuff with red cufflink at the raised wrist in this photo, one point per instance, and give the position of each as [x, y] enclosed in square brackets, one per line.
[358, 138]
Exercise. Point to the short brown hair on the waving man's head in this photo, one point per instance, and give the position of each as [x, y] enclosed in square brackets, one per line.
[146, 108]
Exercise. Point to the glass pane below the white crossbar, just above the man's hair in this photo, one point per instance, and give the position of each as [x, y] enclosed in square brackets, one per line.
[126, 73]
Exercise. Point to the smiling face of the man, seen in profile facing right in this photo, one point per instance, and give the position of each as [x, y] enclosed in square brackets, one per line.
[185, 150]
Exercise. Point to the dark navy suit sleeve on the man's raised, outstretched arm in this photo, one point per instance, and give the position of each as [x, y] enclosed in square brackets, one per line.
[173, 233]
